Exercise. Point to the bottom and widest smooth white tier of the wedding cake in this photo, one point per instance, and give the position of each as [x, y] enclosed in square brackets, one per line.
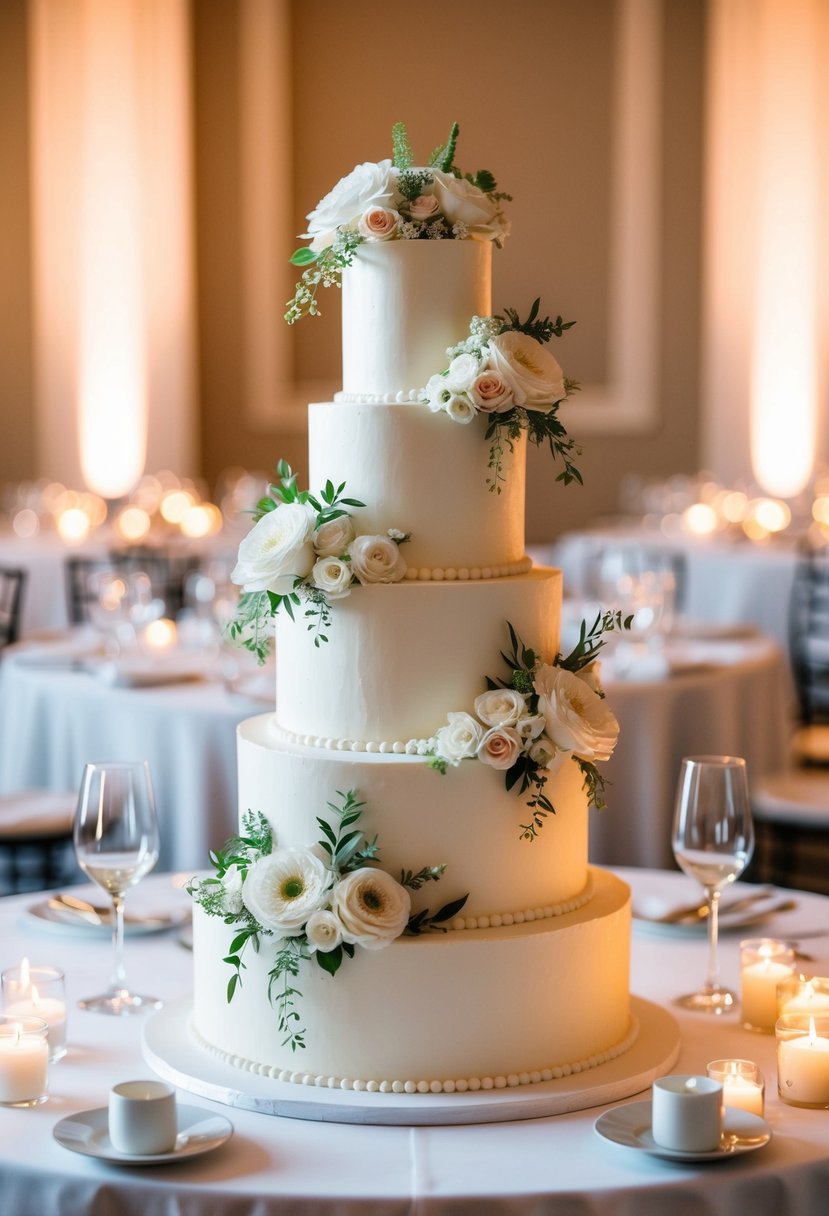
[441, 1006]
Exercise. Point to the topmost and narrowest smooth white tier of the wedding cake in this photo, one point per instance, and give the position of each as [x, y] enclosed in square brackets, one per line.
[404, 303]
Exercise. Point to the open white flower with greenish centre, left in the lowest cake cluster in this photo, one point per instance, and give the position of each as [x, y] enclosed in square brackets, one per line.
[285, 888]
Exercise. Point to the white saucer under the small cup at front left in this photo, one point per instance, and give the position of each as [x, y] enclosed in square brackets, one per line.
[200, 1131]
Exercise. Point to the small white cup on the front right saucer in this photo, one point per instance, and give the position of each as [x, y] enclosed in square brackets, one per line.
[687, 1113]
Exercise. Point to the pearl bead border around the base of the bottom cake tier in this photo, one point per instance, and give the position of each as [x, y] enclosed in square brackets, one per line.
[461, 1085]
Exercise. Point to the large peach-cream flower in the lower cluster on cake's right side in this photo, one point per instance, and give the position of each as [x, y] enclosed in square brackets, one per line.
[577, 719]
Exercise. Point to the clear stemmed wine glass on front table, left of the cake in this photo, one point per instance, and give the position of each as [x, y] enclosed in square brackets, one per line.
[116, 841]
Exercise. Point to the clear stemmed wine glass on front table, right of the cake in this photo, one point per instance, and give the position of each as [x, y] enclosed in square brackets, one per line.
[713, 842]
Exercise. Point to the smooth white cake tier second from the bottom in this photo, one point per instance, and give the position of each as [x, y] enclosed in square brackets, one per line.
[465, 819]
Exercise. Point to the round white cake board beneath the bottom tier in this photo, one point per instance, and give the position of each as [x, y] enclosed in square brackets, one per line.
[172, 1051]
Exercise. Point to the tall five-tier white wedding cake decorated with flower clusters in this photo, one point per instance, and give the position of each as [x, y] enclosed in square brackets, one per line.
[409, 904]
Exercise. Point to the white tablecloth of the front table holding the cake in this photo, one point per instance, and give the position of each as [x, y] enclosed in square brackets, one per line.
[274, 1167]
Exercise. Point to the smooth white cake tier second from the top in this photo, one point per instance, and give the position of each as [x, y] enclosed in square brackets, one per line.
[426, 475]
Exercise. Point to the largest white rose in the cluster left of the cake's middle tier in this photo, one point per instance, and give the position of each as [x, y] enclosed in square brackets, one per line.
[278, 550]
